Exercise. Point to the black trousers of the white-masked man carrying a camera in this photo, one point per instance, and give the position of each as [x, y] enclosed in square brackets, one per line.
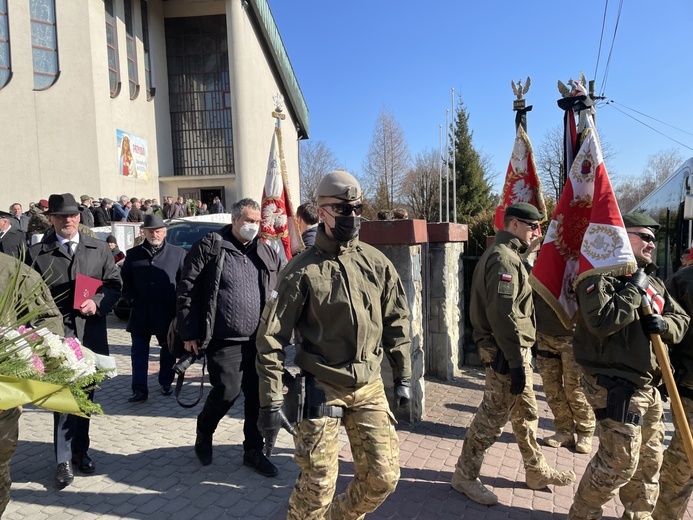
[231, 367]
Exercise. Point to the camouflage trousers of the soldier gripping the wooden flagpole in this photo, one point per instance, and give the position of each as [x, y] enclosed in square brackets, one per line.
[628, 458]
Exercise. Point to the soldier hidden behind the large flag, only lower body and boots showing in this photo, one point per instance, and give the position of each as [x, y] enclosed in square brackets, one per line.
[561, 378]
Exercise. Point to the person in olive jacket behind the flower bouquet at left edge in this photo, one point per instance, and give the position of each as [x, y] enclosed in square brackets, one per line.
[50, 318]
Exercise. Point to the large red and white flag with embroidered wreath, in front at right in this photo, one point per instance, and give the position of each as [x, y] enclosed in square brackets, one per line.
[586, 235]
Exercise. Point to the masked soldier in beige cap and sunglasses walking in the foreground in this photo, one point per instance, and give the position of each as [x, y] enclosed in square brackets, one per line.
[348, 304]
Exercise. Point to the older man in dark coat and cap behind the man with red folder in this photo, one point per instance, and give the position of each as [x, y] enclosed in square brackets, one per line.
[149, 273]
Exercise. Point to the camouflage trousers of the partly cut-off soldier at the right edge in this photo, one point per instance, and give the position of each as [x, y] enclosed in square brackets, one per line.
[676, 478]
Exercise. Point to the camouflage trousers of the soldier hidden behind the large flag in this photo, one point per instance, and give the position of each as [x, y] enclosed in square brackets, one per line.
[564, 394]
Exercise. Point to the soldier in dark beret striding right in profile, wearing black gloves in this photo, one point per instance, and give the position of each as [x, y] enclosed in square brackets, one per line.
[502, 314]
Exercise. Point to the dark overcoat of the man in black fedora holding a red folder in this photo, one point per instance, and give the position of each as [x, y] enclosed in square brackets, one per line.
[92, 258]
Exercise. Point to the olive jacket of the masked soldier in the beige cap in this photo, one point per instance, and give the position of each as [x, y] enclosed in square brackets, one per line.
[348, 304]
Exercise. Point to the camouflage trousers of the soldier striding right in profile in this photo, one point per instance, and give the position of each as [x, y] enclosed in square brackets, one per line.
[499, 405]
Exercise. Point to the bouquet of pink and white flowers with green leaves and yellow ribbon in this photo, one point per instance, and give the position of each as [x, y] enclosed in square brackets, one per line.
[38, 366]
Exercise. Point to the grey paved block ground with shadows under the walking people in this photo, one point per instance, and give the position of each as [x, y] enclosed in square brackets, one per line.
[146, 467]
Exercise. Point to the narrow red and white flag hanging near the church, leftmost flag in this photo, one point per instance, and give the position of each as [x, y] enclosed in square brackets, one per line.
[277, 226]
